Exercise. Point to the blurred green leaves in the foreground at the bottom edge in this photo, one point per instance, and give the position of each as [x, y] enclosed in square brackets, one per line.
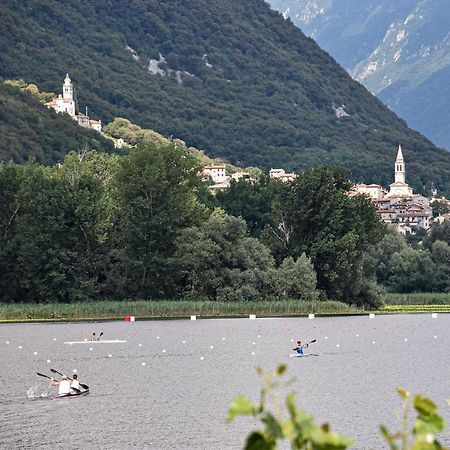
[302, 432]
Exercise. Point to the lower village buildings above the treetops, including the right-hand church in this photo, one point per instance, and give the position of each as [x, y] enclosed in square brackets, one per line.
[398, 205]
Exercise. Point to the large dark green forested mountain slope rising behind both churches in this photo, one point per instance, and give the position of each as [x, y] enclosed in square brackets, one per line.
[231, 77]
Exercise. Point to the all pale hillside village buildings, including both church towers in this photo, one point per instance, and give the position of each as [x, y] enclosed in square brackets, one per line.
[398, 205]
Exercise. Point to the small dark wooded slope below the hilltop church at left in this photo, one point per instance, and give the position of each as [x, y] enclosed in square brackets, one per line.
[29, 129]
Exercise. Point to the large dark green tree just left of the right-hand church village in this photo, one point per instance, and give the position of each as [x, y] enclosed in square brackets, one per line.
[317, 217]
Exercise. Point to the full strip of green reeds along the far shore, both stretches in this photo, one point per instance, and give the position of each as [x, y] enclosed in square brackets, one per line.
[150, 309]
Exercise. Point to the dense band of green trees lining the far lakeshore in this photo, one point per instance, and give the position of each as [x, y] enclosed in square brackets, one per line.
[144, 226]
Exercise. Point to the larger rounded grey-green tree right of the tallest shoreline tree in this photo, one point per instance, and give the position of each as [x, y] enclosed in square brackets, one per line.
[218, 260]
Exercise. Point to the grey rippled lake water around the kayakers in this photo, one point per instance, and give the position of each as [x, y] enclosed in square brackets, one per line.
[180, 397]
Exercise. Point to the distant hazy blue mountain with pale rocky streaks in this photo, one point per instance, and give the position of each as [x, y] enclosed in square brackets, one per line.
[399, 50]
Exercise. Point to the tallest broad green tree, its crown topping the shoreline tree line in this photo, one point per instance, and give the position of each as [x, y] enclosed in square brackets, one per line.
[156, 189]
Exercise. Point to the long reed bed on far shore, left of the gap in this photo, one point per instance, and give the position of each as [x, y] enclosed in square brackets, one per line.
[162, 309]
